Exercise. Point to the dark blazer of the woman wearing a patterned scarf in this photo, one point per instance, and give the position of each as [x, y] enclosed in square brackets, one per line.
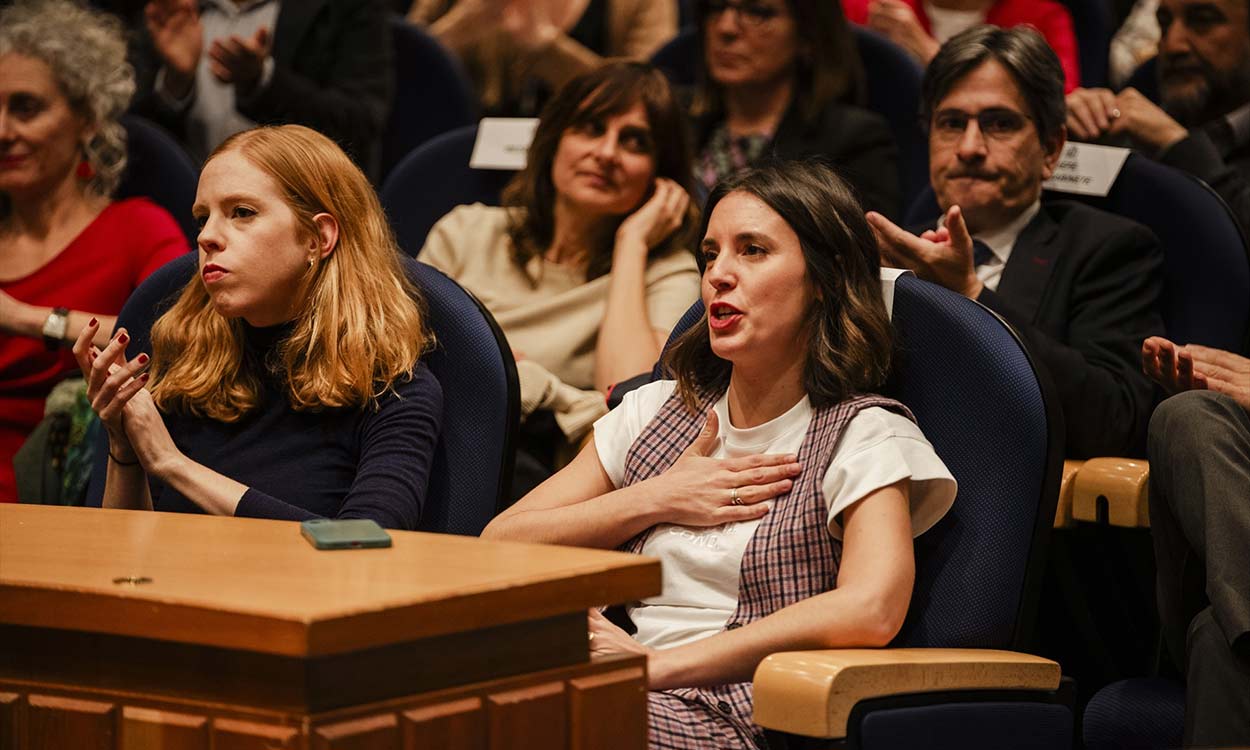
[854, 142]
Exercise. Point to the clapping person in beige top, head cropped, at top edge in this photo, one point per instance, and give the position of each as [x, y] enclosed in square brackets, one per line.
[516, 51]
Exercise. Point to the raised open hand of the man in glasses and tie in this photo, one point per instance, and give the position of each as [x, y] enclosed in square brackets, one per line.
[941, 256]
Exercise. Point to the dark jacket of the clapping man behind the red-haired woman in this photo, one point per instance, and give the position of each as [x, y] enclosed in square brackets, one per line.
[333, 72]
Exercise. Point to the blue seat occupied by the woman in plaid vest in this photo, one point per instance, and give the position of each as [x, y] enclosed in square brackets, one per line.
[978, 399]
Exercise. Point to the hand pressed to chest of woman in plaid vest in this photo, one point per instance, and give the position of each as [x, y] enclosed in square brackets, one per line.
[701, 492]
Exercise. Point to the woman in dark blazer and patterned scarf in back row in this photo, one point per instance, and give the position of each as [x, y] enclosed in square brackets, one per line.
[783, 79]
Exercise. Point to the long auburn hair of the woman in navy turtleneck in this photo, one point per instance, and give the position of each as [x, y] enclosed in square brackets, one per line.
[361, 329]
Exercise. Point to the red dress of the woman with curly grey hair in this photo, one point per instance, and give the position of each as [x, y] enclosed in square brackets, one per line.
[96, 273]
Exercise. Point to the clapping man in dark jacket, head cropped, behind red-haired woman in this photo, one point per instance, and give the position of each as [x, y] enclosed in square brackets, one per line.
[214, 68]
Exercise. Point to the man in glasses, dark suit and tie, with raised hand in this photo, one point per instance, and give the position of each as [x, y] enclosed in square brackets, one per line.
[1081, 286]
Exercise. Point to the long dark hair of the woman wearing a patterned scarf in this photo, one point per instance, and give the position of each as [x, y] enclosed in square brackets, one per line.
[828, 64]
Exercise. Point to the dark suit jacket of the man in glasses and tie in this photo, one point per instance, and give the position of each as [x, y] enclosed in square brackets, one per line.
[1082, 288]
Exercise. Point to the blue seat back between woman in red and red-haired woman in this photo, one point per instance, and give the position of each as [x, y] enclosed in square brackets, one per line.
[159, 171]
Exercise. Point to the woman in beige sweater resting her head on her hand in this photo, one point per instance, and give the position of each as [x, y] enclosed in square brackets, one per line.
[589, 264]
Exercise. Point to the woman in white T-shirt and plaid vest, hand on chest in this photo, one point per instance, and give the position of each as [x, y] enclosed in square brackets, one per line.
[781, 494]
